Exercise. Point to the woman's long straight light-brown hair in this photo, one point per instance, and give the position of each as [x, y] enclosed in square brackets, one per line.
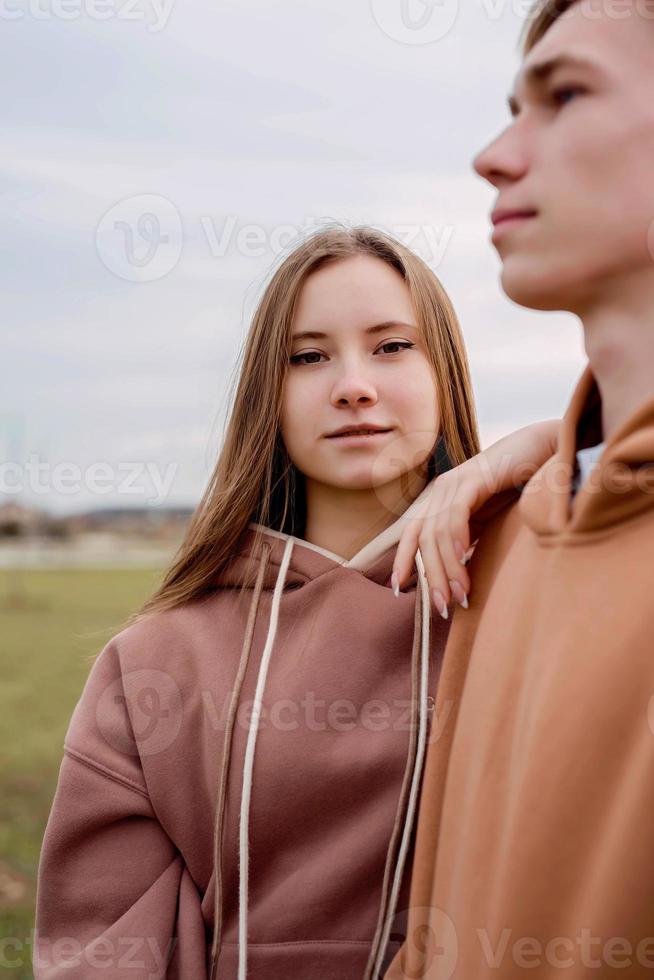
[254, 479]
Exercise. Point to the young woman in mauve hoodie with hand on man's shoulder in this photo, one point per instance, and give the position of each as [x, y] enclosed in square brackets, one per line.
[241, 773]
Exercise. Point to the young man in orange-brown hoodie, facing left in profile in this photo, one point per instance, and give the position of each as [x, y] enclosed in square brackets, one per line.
[535, 842]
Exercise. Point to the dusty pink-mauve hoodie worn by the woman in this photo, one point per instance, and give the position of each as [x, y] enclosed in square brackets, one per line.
[308, 816]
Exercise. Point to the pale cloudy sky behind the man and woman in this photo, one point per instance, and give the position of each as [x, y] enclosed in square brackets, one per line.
[158, 155]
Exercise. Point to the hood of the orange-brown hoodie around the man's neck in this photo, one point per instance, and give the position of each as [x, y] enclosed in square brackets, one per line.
[613, 493]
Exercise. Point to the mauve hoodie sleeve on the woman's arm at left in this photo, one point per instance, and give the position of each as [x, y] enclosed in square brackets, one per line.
[114, 896]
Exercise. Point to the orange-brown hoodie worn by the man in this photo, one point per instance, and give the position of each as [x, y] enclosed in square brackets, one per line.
[535, 840]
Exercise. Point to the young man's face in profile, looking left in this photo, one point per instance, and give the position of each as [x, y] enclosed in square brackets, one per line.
[577, 161]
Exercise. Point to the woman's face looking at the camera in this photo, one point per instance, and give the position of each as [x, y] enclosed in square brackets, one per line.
[358, 359]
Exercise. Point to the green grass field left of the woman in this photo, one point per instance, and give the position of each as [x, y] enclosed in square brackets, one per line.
[50, 623]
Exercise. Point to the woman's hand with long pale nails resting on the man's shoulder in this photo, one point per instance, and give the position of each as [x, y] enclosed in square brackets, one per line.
[441, 528]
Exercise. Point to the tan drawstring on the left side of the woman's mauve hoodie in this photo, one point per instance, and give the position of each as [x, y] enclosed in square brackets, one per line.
[224, 766]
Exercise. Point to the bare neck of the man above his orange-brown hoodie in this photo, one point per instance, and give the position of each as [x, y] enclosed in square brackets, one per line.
[619, 343]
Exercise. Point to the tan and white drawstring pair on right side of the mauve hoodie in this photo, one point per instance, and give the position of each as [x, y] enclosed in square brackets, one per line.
[413, 770]
